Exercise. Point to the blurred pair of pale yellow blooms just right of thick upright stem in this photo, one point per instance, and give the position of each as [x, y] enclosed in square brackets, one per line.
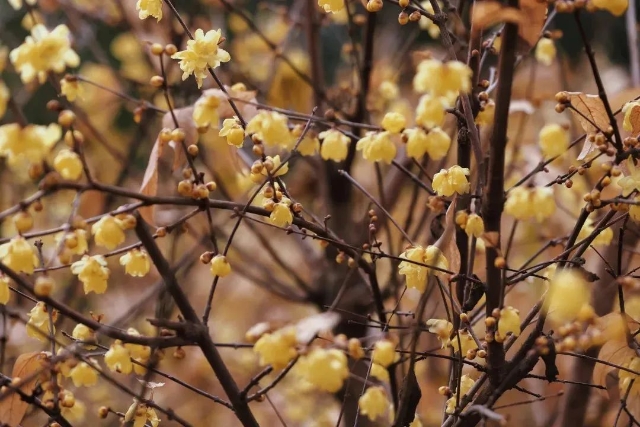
[527, 203]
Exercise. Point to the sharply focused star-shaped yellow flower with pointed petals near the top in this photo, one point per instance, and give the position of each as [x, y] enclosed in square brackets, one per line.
[201, 53]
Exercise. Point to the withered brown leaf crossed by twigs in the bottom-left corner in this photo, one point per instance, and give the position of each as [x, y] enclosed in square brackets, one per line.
[13, 408]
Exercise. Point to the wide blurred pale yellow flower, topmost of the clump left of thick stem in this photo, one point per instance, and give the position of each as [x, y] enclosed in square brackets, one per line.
[442, 79]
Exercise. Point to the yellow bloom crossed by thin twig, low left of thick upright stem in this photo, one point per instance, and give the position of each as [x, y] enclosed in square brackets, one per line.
[415, 274]
